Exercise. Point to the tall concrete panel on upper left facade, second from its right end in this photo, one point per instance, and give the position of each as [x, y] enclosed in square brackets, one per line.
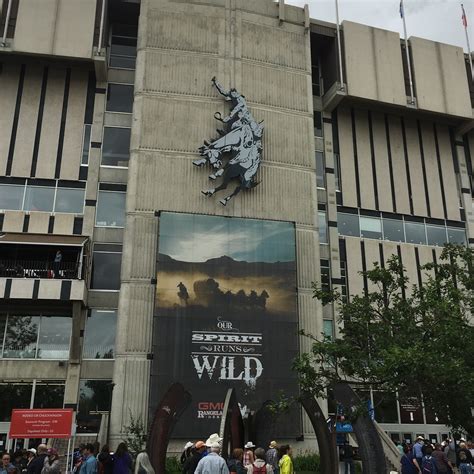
[53, 105]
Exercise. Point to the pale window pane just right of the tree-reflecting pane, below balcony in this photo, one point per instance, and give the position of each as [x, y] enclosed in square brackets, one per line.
[54, 338]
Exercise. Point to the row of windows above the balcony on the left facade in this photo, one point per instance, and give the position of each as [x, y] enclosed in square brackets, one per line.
[31, 197]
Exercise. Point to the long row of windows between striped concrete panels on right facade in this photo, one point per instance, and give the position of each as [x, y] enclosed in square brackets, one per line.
[399, 229]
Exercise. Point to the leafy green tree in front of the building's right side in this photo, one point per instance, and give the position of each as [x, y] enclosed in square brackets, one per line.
[413, 340]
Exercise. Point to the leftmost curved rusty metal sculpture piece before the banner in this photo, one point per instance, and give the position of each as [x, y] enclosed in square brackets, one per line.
[171, 407]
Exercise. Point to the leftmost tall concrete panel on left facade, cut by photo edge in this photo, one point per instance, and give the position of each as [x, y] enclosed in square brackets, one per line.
[8, 92]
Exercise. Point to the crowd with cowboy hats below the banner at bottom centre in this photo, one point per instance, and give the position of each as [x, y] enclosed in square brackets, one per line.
[205, 458]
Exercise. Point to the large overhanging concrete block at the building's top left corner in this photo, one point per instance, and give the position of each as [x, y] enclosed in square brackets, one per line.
[55, 27]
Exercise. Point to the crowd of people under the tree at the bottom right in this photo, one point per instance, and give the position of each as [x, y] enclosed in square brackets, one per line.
[448, 457]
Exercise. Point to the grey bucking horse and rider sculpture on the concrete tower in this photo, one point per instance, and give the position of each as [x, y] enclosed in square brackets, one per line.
[241, 137]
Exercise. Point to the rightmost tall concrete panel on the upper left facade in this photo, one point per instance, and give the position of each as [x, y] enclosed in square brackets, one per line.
[73, 132]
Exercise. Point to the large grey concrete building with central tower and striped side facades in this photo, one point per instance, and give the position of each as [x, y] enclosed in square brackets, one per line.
[103, 106]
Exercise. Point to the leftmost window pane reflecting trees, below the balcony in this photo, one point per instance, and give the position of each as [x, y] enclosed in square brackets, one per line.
[21, 337]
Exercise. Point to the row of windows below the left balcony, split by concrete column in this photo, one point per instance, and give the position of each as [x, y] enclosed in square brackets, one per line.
[49, 337]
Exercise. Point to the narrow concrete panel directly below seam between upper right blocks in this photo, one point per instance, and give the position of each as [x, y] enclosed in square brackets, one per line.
[415, 166]
